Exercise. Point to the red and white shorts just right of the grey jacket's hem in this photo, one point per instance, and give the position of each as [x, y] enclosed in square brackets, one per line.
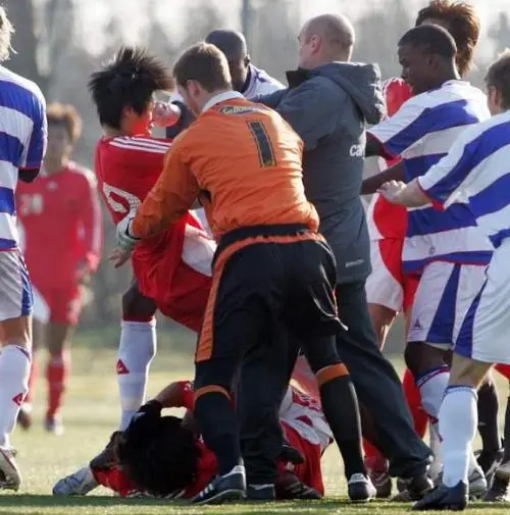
[387, 285]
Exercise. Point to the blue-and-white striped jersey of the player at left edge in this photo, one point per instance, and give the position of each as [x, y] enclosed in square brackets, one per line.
[23, 135]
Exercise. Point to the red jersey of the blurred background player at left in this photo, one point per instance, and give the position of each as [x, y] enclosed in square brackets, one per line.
[61, 221]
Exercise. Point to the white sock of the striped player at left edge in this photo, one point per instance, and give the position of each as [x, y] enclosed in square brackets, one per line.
[14, 371]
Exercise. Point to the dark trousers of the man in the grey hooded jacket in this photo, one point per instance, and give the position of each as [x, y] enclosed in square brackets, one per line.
[377, 384]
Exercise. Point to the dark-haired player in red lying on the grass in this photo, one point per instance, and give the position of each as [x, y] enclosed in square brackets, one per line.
[163, 456]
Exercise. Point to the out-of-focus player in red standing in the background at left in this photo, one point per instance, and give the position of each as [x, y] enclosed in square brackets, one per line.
[61, 219]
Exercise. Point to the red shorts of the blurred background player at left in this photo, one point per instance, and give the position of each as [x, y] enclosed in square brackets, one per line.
[64, 303]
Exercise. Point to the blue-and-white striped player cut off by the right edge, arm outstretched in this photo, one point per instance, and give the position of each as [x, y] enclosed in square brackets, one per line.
[474, 173]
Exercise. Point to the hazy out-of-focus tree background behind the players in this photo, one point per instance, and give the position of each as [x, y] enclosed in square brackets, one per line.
[56, 48]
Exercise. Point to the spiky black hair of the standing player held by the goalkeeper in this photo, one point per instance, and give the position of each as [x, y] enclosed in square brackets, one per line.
[128, 80]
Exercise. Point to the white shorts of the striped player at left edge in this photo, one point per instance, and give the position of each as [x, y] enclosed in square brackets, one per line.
[16, 299]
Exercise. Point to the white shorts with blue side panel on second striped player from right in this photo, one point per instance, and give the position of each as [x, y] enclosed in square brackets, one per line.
[444, 295]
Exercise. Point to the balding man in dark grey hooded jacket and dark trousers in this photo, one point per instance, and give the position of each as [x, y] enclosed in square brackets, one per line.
[328, 103]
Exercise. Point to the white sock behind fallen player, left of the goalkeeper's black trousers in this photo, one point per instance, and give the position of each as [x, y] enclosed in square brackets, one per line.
[136, 350]
